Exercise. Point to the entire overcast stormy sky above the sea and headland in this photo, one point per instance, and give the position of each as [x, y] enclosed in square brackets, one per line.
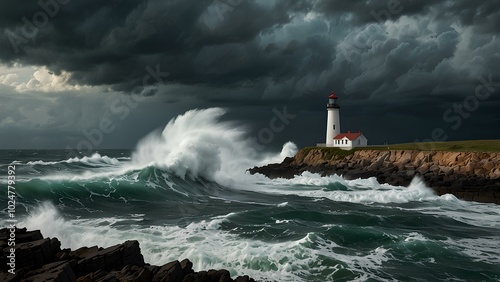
[404, 70]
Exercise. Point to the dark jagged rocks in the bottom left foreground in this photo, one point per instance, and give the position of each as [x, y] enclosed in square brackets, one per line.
[41, 259]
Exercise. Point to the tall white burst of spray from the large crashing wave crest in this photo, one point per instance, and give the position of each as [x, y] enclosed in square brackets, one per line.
[197, 144]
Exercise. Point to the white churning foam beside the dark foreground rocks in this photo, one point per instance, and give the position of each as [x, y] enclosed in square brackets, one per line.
[207, 246]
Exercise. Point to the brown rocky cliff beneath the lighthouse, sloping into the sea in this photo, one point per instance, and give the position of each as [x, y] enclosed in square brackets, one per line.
[473, 176]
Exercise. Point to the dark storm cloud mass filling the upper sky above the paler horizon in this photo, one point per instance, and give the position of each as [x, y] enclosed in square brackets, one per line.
[388, 58]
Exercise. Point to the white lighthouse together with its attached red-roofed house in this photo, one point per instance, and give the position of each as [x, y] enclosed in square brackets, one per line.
[334, 138]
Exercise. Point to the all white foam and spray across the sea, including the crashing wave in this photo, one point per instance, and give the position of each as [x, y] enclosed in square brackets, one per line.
[197, 145]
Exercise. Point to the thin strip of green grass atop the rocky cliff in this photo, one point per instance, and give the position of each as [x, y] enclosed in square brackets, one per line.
[450, 146]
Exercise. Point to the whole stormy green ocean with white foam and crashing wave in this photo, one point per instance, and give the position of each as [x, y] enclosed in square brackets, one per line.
[184, 193]
